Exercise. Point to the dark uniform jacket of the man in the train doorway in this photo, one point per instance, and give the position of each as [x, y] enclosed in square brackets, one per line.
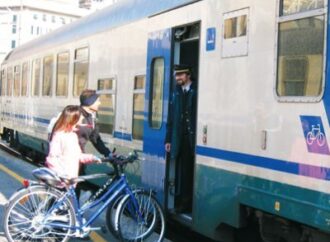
[174, 127]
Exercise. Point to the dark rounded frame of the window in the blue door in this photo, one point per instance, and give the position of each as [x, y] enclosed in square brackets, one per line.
[151, 112]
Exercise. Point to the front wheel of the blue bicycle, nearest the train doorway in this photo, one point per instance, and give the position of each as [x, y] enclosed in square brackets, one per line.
[140, 218]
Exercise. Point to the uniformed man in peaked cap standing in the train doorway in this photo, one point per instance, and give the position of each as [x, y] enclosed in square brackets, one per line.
[180, 135]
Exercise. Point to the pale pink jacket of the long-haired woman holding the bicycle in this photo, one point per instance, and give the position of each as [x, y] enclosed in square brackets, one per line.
[65, 154]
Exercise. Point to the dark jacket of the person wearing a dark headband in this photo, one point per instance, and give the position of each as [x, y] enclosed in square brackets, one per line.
[89, 131]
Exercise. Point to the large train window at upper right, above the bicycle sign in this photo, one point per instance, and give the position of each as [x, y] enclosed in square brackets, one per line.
[300, 58]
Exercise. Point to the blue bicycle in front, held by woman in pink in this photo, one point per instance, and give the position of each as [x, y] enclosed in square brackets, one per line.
[42, 211]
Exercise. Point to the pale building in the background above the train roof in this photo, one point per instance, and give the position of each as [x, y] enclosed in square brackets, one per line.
[24, 20]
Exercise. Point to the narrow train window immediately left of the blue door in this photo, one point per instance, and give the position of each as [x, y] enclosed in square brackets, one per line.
[138, 107]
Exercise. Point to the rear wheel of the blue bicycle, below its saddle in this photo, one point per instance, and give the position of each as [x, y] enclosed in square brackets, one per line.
[25, 214]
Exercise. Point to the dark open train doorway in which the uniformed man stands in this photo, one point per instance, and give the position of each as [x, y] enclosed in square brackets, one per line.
[180, 183]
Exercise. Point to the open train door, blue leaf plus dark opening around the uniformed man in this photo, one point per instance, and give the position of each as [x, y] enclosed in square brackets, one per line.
[165, 47]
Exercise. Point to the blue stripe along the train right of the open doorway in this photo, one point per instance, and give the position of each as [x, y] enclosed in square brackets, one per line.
[317, 172]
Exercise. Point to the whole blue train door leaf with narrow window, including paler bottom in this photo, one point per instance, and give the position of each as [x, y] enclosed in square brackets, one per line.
[156, 109]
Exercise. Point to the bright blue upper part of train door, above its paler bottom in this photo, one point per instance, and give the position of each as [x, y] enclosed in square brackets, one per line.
[157, 92]
